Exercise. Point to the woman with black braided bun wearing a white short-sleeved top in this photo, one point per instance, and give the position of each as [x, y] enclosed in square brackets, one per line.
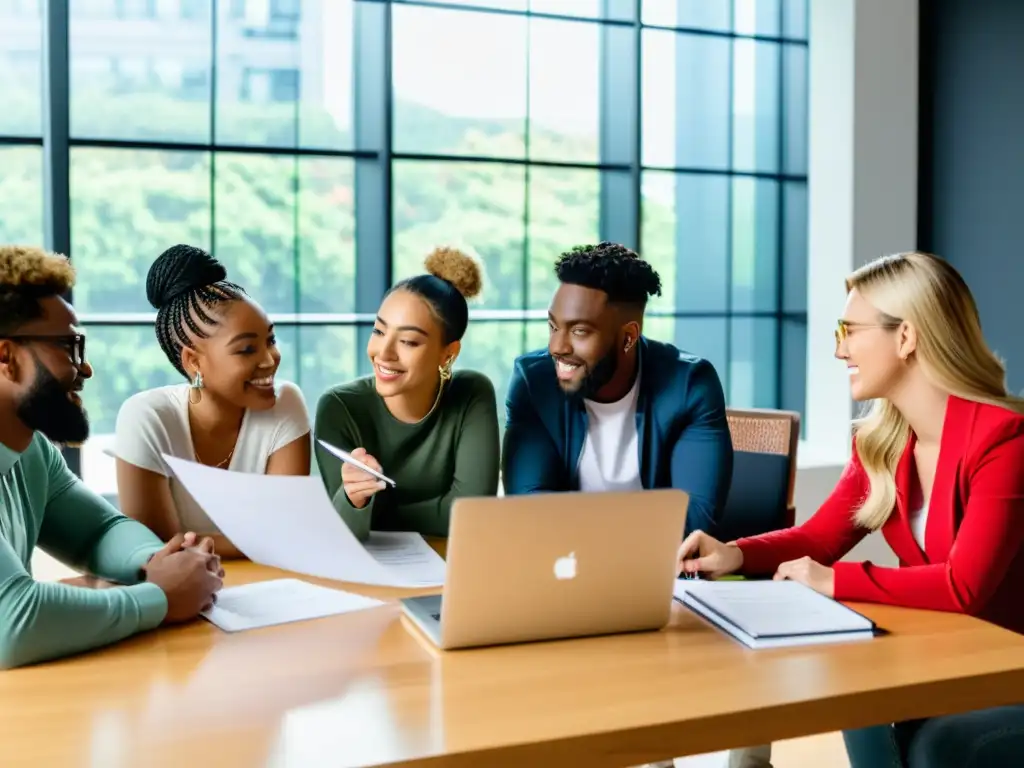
[231, 414]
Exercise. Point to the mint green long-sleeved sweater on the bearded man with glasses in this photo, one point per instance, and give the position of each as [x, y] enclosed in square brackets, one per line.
[42, 502]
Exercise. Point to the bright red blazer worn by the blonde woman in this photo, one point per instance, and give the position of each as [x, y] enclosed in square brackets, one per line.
[973, 561]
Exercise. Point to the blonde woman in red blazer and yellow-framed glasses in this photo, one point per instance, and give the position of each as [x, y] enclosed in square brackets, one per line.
[938, 465]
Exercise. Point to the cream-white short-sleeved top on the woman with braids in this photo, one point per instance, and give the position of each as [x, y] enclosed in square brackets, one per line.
[156, 422]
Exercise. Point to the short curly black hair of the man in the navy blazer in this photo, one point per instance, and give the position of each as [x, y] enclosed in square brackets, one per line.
[613, 269]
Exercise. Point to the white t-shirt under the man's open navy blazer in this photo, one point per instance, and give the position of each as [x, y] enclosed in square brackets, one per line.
[611, 459]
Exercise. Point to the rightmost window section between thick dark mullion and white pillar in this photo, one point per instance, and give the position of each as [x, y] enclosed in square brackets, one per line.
[724, 188]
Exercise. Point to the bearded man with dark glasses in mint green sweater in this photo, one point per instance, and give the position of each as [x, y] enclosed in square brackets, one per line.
[42, 370]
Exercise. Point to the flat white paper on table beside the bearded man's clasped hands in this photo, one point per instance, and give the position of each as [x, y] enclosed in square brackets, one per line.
[281, 602]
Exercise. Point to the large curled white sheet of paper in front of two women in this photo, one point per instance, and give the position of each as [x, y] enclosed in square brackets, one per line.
[288, 522]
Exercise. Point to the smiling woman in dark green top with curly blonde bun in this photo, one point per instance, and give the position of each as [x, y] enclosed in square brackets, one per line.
[432, 431]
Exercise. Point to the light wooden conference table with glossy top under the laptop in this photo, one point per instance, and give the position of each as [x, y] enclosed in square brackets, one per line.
[362, 690]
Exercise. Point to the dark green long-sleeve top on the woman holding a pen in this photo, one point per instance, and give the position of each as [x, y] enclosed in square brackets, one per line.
[453, 452]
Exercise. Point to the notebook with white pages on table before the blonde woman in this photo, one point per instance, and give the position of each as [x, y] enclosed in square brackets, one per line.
[773, 615]
